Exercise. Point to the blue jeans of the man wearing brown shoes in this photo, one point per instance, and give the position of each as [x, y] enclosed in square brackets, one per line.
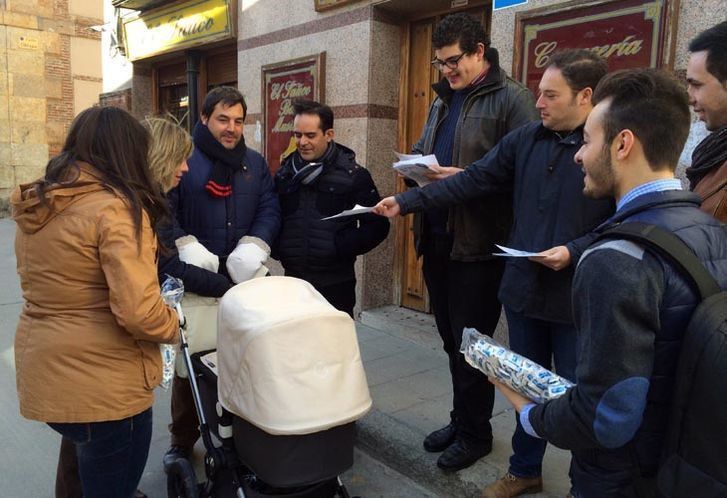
[539, 341]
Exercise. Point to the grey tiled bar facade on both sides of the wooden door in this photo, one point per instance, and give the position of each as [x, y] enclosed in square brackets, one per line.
[362, 41]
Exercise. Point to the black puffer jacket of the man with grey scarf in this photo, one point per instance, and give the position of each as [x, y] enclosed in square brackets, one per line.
[323, 251]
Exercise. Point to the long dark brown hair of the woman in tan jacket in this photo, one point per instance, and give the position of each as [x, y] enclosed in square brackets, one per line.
[116, 145]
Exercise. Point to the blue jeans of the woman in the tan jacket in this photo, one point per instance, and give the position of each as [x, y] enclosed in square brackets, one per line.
[111, 455]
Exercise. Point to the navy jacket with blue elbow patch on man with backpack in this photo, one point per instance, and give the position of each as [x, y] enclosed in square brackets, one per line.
[631, 308]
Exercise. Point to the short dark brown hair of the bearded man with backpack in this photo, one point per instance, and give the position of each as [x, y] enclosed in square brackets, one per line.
[653, 105]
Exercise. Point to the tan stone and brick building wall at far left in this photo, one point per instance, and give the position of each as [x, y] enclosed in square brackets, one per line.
[53, 71]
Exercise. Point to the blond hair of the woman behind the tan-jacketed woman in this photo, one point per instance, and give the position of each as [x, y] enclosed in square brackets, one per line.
[170, 145]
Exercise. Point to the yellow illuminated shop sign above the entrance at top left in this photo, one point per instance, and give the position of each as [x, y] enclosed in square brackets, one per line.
[180, 26]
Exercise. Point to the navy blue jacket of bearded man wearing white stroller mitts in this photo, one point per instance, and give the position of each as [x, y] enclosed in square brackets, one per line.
[219, 223]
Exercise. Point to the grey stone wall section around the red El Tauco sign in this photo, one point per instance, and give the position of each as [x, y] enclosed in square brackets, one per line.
[361, 86]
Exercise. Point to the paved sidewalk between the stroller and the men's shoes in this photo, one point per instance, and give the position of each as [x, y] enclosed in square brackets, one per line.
[409, 379]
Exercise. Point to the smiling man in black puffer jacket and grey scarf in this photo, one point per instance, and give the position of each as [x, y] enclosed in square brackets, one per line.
[321, 179]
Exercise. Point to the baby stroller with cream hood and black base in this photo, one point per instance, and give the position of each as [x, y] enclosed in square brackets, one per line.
[280, 396]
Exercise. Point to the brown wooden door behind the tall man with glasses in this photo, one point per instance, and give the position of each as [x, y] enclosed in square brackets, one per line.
[417, 77]
